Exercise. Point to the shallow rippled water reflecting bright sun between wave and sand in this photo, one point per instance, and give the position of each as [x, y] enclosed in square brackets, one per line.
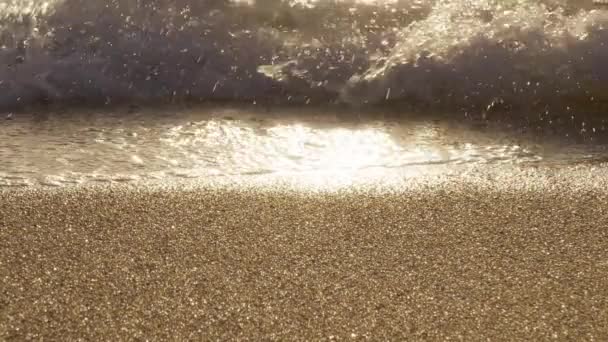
[62, 149]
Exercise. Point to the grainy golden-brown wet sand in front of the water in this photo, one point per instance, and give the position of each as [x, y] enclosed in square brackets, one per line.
[456, 260]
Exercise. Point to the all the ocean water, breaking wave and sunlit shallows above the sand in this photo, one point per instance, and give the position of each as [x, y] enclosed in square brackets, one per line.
[81, 82]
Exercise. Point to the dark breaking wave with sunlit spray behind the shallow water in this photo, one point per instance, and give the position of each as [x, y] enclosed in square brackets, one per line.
[465, 54]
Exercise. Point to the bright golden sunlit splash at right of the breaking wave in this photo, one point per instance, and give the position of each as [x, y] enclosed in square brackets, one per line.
[481, 52]
